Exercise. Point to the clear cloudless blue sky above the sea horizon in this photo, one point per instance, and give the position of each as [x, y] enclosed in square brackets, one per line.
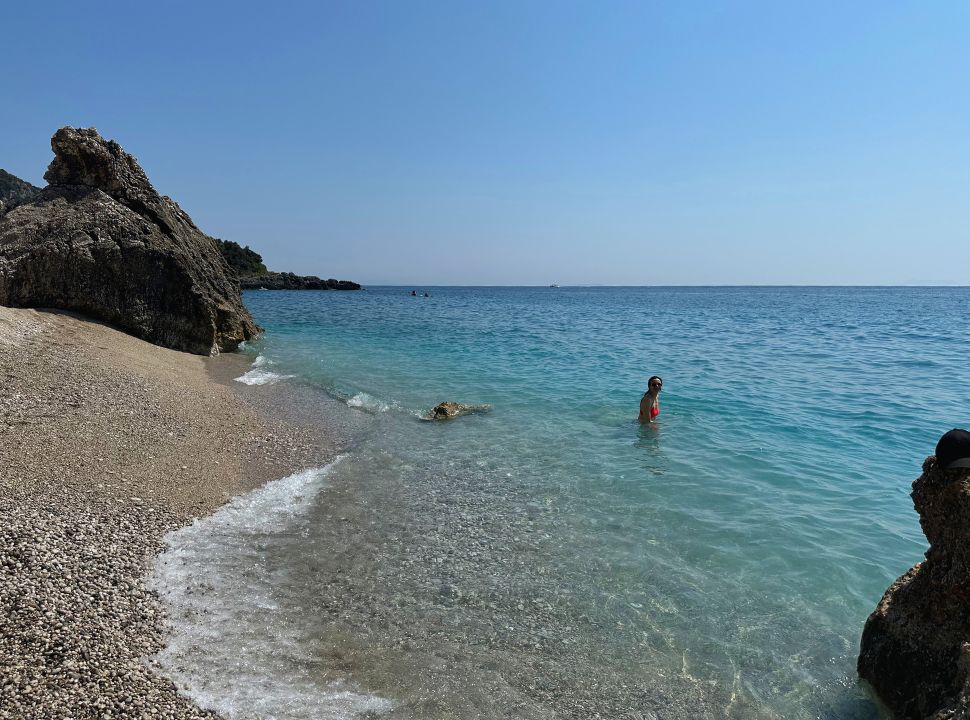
[528, 142]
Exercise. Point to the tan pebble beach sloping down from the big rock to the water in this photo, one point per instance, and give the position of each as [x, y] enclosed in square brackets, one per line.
[107, 443]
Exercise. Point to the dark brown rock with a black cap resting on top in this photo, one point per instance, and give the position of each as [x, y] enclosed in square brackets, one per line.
[915, 648]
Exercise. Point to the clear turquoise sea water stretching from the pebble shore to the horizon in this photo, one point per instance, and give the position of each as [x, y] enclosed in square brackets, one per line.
[553, 558]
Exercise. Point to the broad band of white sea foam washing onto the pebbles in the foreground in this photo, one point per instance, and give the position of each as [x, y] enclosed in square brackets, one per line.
[230, 647]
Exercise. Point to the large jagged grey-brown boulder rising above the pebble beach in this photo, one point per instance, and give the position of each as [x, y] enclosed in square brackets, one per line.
[101, 241]
